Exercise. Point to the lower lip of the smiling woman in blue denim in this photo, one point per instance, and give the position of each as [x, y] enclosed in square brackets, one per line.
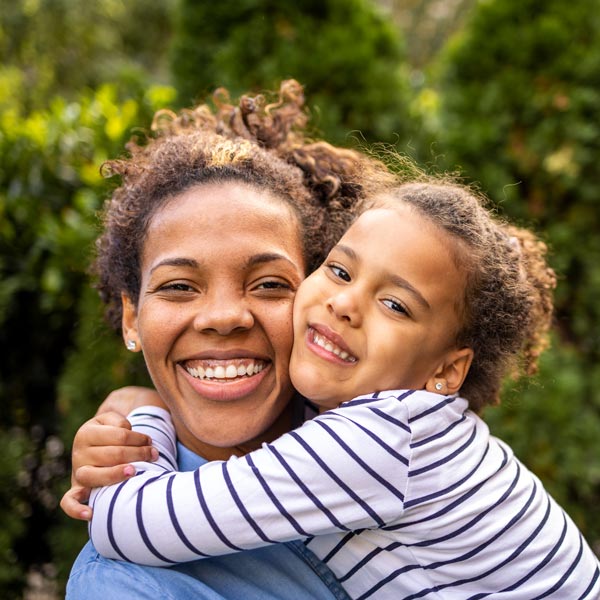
[225, 388]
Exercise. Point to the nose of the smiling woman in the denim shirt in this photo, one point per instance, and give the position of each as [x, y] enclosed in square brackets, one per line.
[223, 312]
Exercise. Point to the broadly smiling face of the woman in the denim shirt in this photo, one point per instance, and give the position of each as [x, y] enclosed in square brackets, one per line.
[220, 267]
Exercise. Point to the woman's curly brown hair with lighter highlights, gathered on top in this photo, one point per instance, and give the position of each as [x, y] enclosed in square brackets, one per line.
[256, 142]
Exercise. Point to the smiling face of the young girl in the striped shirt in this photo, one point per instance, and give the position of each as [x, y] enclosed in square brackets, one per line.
[380, 313]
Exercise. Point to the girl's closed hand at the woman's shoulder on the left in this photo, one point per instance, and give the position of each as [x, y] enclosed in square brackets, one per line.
[102, 450]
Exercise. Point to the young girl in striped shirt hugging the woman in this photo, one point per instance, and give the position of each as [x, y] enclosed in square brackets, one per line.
[397, 485]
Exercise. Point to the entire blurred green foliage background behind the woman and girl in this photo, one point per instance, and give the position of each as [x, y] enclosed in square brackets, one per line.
[507, 93]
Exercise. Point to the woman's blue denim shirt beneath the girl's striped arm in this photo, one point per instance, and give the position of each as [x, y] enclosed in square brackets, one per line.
[275, 572]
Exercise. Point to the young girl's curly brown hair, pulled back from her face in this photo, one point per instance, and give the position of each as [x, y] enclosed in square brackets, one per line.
[507, 305]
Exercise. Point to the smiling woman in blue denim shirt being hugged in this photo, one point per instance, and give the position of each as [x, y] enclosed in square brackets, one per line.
[236, 204]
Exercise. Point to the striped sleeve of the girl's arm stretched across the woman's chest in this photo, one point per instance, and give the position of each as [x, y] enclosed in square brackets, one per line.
[344, 470]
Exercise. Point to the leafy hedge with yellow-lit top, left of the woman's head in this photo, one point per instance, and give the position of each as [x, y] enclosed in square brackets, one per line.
[61, 359]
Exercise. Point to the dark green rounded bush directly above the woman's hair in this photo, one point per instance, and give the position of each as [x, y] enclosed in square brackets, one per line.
[346, 53]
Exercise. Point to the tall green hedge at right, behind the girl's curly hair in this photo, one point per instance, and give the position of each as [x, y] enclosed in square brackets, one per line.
[519, 112]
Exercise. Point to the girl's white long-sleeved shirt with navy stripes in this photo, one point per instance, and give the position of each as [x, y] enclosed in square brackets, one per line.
[403, 494]
